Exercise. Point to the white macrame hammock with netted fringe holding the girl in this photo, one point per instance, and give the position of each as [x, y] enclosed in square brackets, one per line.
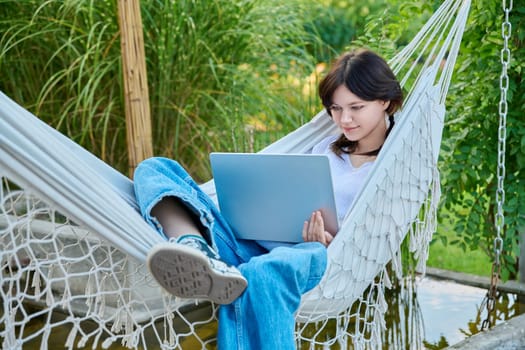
[72, 240]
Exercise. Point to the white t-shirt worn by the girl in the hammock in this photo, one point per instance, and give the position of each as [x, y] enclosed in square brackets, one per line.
[346, 178]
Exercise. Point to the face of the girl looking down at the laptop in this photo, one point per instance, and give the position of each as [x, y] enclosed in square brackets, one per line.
[359, 120]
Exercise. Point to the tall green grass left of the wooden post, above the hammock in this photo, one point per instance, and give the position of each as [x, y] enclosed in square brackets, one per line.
[59, 60]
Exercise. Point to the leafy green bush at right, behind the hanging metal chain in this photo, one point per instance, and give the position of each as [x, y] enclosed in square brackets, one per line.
[469, 152]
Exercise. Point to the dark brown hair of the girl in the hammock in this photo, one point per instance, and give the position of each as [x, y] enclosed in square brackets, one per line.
[368, 76]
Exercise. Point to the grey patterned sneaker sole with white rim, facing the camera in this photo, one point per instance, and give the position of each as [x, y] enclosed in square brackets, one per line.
[187, 273]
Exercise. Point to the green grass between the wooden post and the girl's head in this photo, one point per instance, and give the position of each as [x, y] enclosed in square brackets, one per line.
[221, 62]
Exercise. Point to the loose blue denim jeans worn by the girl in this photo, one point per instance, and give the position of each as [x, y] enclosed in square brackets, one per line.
[263, 317]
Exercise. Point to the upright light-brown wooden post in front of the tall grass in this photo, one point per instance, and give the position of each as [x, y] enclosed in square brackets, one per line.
[137, 108]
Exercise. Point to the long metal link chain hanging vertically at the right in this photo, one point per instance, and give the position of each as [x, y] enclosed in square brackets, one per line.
[499, 220]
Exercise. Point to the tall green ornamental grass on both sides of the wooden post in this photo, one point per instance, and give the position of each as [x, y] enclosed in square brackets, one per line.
[223, 75]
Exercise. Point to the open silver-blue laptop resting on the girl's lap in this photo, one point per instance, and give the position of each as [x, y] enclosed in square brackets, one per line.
[269, 196]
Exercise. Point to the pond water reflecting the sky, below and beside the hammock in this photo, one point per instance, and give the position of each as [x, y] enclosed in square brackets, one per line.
[432, 314]
